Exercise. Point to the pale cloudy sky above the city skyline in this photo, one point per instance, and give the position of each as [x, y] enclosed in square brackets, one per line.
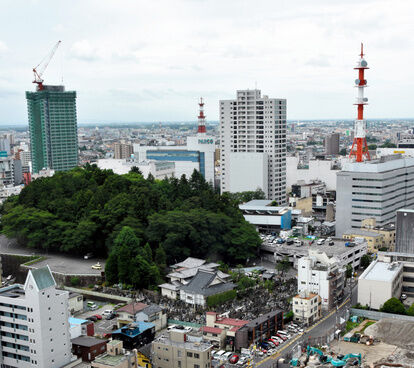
[139, 61]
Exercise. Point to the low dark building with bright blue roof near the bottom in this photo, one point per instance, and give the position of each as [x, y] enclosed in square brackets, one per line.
[135, 334]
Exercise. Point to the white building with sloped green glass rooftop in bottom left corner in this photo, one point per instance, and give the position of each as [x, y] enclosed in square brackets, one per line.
[34, 323]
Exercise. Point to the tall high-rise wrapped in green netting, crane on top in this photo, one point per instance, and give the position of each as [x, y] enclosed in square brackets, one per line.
[53, 128]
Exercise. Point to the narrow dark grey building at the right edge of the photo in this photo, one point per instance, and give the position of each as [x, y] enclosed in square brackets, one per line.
[405, 229]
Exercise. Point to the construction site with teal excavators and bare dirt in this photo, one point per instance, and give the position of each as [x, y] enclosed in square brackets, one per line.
[374, 344]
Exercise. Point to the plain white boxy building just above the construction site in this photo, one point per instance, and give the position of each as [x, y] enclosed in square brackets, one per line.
[380, 282]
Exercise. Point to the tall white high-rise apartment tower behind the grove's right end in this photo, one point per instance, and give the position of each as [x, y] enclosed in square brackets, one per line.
[253, 144]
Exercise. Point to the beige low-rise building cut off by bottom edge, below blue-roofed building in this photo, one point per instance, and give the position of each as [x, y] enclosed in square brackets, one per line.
[115, 357]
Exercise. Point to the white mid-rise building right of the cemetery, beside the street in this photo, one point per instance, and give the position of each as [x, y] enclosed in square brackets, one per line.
[321, 275]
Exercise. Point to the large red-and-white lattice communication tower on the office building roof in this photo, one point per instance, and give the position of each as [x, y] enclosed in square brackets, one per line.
[359, 146]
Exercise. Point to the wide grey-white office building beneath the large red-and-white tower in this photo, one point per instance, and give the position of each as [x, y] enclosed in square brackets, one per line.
[373, 189]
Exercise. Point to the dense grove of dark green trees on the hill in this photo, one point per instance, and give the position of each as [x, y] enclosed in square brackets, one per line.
[88, 209]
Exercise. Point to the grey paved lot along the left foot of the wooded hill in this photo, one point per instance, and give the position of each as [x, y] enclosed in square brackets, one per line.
[66, 264]
